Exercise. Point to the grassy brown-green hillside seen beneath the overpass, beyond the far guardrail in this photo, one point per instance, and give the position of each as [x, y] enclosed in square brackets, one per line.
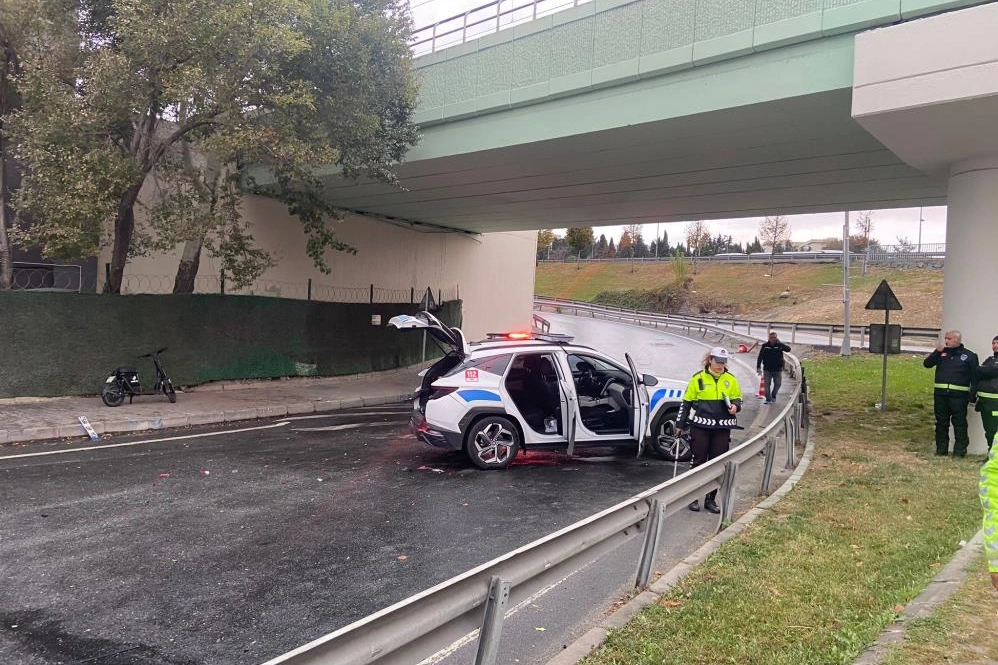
[793, 292]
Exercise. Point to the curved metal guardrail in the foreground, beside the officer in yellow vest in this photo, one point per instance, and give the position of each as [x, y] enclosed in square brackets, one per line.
[475, 601]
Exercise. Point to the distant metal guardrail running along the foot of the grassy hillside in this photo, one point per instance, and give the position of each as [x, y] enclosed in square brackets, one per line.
[730, 325]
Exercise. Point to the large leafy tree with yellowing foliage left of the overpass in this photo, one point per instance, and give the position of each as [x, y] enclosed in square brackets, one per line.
[287, 86]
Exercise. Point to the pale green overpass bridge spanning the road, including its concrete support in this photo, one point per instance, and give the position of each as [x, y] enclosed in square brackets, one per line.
[636, 111]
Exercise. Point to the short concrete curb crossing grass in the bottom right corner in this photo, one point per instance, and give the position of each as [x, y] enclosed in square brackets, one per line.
[940, 589]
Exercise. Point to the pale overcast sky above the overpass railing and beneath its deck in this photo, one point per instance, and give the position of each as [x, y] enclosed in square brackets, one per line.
[888, 225]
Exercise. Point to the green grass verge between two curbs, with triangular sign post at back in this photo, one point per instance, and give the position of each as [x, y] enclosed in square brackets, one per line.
[817, 578]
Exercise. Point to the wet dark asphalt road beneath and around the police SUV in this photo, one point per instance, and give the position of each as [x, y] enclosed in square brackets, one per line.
[238, 547]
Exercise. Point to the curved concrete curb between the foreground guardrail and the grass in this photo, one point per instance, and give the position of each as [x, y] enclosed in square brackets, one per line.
[593, 638]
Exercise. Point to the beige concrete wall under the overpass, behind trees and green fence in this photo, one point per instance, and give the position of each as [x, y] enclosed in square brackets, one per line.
[493, 274]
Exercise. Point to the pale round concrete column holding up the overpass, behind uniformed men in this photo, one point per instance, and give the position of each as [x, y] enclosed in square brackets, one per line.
[972, 235]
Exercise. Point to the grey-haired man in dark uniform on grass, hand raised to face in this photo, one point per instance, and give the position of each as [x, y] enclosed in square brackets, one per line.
[956, 371]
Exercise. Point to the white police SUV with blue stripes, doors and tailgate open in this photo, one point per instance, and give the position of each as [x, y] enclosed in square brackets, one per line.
[499, 396]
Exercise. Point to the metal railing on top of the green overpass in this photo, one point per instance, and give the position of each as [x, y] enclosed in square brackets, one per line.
[483, 20]
